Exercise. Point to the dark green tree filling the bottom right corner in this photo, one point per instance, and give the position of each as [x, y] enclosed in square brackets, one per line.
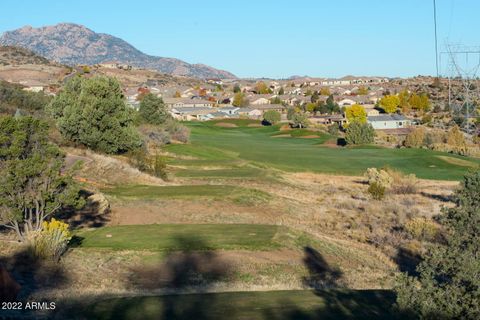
[448, 285]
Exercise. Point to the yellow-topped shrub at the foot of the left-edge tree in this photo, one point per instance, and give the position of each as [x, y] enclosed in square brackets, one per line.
[52, 240]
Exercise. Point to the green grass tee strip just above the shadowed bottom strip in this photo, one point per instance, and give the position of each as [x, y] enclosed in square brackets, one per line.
[172, 237]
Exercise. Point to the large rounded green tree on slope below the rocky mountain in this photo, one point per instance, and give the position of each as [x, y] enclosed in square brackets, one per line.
[93, 112]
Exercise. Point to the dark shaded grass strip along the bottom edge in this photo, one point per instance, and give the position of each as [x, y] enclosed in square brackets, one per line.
[272, 305]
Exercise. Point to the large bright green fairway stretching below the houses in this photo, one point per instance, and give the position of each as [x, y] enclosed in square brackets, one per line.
[216, 145]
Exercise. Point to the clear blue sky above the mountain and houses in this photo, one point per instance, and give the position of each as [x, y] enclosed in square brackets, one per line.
[275, 39]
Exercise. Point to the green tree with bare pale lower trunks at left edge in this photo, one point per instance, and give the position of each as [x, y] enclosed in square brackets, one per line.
[32, 184]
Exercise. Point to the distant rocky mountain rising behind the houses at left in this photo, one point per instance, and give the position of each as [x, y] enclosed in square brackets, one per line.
[74, 44]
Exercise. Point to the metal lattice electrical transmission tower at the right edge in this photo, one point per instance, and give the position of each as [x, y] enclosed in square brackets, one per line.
[461, 68]
